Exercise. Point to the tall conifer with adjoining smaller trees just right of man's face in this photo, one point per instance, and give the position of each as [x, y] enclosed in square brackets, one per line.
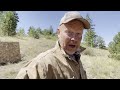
[90, 37]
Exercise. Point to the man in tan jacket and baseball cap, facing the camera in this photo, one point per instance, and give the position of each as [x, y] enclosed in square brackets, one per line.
[63, 61]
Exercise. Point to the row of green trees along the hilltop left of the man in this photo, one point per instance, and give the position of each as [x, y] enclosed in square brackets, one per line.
[8, 24]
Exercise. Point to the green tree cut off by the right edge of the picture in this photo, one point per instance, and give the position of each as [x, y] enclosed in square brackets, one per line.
[114, 47]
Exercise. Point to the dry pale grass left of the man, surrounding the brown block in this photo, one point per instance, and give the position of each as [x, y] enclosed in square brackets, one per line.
[29, 48]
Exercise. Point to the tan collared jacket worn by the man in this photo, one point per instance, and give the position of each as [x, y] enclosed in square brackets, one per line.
[52, 64]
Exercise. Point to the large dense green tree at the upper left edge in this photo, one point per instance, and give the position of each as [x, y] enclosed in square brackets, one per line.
[8, 23]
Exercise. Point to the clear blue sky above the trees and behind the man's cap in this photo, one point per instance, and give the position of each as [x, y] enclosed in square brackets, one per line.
[107, 23]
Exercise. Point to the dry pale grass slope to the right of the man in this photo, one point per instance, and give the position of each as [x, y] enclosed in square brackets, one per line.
[100, 66]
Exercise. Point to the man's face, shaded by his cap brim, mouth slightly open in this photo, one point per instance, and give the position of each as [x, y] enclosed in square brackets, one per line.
[70, 35]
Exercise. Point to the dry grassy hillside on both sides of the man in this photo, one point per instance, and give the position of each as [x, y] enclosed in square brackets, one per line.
[95, 61]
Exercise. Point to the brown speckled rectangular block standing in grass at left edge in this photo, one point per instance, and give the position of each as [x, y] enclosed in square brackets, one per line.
[9, 52]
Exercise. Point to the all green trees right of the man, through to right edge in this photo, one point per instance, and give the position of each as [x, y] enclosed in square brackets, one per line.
[91, 39]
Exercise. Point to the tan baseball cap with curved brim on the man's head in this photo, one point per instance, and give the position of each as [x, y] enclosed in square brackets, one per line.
[71, 15]
